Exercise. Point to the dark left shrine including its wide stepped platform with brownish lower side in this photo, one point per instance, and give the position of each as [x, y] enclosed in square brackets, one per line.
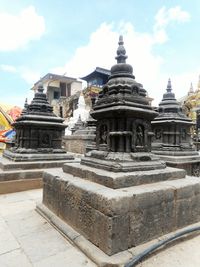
[37, 146]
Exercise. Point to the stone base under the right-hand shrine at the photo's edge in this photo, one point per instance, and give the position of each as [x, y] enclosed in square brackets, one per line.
[191, 164]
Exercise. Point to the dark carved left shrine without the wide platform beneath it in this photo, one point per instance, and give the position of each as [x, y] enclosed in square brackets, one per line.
[38, 132]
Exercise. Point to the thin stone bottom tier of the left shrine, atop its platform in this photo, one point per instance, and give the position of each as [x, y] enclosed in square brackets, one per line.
[36, 156]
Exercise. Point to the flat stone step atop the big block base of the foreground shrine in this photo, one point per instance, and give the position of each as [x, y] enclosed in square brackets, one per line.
[121, 179]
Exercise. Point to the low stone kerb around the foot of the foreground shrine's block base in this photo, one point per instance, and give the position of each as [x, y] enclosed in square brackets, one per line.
[92, 251]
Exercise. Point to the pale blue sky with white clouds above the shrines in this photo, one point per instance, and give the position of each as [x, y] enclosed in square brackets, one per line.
[161, 39]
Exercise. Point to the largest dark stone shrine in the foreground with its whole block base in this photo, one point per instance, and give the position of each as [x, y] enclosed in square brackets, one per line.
[120, 195]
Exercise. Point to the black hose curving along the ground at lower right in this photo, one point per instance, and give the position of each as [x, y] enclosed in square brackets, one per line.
[152, 248]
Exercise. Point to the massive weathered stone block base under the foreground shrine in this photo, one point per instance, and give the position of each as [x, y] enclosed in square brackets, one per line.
[115, 220]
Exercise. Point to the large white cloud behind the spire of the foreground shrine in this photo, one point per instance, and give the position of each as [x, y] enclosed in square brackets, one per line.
[147, 66]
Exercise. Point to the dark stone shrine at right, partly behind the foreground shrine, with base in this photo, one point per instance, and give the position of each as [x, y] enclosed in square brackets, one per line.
[172, 135]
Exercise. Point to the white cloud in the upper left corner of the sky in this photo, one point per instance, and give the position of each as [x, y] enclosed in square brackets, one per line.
[18, 30]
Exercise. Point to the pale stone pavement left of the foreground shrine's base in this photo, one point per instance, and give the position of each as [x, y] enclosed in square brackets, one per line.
[26, 239]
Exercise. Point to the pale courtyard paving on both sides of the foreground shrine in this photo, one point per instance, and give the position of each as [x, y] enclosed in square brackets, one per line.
[27, 239]
